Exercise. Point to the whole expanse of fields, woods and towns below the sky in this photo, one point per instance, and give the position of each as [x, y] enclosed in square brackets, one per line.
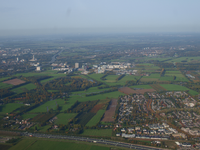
[111, 92]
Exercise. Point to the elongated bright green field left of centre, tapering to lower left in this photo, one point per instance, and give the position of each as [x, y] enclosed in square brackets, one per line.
[48, 105]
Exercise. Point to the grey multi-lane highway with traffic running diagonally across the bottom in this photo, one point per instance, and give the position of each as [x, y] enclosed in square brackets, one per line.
[92, 140]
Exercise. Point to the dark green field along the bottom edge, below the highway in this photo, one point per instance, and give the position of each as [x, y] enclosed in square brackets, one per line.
[43, 144]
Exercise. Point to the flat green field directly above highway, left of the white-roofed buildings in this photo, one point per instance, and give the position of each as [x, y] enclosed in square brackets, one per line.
[96, 132]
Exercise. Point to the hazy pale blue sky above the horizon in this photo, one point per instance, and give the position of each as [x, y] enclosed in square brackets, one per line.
[31, 17]
